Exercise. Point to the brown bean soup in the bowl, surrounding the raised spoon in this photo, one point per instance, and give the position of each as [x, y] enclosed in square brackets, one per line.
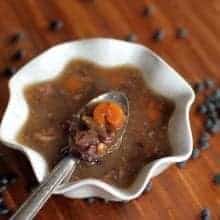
[52, 104]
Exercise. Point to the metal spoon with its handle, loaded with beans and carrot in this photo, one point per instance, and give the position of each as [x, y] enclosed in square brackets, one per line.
[96, 130]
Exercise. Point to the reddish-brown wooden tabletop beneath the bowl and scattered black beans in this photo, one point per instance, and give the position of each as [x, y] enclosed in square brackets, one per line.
[178, 193]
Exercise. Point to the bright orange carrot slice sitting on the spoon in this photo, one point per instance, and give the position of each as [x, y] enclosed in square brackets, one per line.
[109, 112]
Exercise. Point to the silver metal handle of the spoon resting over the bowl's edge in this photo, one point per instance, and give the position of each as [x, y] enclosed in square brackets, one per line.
[42, 193]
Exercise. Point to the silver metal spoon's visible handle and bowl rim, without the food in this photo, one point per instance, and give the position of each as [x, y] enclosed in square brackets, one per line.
[67, 165]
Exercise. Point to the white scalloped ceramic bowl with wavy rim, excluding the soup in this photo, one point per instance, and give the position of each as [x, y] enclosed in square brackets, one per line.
[158, 75]
